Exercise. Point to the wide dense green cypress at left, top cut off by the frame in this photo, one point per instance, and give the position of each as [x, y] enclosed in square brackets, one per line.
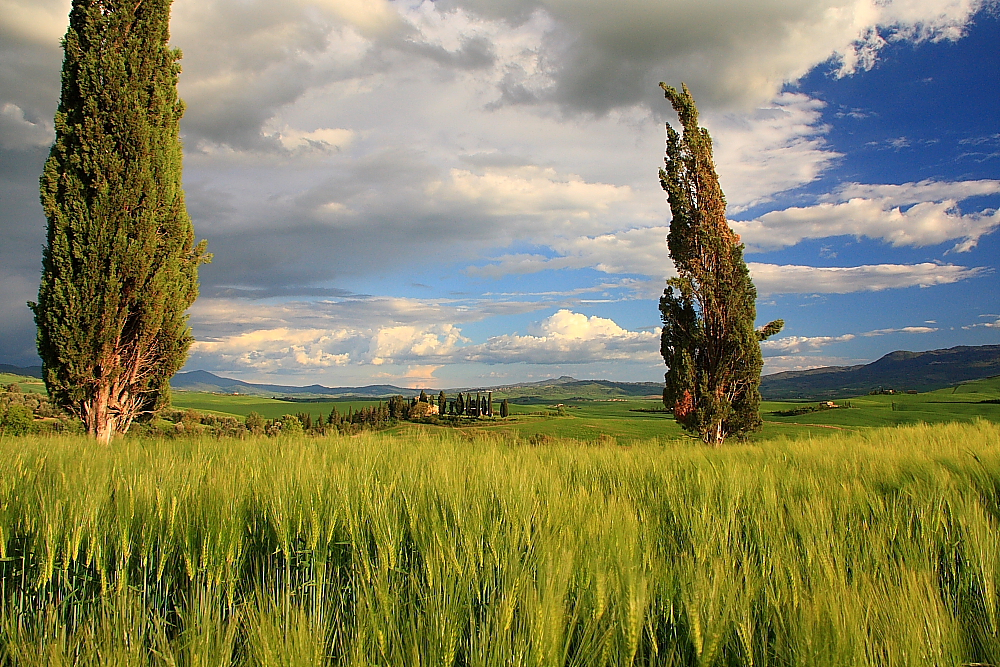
[120, 265]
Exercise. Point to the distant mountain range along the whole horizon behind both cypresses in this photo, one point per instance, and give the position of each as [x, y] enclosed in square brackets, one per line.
[902, 371]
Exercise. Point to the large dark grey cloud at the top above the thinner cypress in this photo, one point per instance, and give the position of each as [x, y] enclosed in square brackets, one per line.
[606, 55]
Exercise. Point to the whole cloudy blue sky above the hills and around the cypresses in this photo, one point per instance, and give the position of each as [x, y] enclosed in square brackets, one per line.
[464, 192]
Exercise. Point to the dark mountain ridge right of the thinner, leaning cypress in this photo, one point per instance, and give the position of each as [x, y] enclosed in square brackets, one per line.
[902, 371]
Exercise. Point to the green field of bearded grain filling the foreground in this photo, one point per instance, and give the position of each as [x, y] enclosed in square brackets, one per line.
[870, 548]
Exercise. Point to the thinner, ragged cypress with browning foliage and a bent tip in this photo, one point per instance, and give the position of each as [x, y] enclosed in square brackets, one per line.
[709, 343]
